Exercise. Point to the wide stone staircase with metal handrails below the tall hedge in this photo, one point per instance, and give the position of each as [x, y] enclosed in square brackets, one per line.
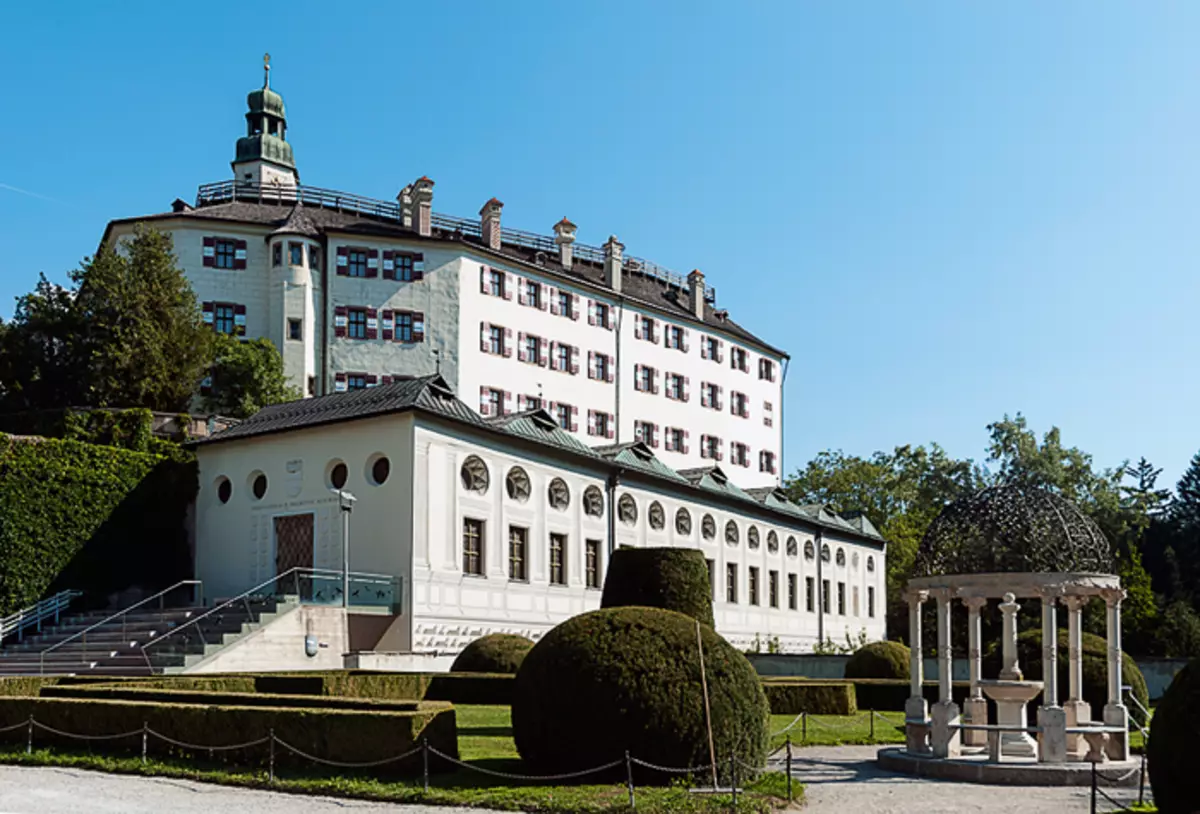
[116, 648]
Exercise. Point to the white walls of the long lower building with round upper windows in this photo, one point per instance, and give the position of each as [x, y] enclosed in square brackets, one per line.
[413, 526]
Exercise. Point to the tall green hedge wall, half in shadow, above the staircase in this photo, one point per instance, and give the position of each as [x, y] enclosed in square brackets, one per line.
[98, 519]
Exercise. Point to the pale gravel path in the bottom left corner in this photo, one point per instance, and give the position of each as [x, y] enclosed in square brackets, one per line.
[76, 792]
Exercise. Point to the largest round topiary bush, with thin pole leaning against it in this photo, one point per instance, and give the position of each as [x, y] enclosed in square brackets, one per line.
[629, 679]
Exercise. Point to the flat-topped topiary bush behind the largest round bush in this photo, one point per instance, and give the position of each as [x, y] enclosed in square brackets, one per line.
[675, 579]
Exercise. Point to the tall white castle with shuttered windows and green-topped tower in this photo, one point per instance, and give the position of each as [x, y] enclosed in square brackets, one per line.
[358, 292]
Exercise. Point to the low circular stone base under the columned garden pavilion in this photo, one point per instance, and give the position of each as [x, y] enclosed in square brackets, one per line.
[1012, 771]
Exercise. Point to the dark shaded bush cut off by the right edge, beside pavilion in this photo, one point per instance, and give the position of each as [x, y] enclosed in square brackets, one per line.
[1171, 752]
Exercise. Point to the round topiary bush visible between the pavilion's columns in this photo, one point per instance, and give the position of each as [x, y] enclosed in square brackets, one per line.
[1096, 660]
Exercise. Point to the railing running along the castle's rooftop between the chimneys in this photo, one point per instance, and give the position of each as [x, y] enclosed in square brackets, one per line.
[345, 202]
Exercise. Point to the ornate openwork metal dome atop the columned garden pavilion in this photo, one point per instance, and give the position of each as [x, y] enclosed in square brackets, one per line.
[1011, 530]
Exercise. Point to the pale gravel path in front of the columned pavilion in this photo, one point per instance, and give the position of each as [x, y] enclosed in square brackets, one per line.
[847, 780]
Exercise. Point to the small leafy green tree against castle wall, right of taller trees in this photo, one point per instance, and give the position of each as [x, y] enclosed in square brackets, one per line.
[247, 376]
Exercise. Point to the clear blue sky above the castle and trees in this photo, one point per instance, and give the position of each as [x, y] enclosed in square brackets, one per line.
[944, 211]
